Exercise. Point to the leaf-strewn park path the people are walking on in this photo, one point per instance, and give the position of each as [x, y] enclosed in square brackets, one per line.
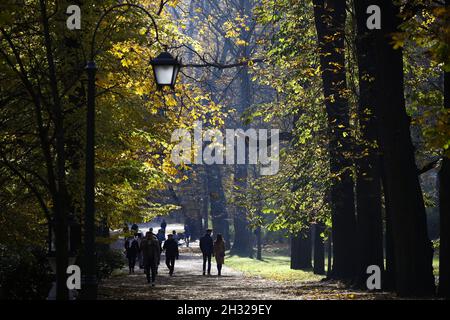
[189, 283]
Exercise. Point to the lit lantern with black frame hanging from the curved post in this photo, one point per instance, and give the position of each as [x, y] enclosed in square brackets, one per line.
[165, 70]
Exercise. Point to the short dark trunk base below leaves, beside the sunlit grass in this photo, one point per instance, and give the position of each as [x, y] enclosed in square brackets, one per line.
[301, 248]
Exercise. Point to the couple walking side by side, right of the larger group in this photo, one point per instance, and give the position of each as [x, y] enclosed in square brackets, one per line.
[215, 248]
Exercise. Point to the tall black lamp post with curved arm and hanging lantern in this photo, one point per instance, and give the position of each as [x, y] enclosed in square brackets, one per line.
[165, 69]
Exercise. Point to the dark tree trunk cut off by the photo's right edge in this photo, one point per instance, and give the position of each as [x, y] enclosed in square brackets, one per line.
[444, 207]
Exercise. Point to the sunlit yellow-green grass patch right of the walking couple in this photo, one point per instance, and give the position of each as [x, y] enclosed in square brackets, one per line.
[273, 267]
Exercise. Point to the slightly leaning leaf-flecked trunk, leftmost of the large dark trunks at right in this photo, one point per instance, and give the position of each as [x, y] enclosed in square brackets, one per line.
[330, 16]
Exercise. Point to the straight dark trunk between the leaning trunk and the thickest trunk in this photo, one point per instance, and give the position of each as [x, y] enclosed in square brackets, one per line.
[368, 180]
